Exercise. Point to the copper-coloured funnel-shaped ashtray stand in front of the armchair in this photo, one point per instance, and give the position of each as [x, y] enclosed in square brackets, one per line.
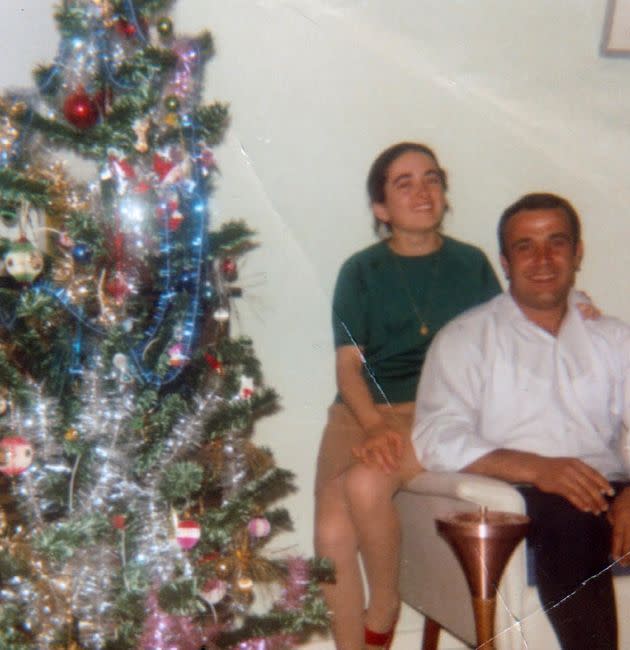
[483, 543]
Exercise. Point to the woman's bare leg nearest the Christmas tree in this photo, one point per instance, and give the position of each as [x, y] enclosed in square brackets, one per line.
[335, 538]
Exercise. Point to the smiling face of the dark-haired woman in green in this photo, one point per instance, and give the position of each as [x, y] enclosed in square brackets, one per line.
[414, 196]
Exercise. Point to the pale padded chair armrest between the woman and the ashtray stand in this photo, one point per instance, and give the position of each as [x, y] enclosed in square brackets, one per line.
[474, 488]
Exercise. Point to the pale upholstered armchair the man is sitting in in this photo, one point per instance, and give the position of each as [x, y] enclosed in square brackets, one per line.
[433, 583]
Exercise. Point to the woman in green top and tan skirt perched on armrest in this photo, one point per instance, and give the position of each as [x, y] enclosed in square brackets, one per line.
[389, 302]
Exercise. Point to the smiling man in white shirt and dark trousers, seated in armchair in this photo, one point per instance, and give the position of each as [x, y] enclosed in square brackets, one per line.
[525, 390]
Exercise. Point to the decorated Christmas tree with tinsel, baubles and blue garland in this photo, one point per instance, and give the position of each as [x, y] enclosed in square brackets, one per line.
[134, 506]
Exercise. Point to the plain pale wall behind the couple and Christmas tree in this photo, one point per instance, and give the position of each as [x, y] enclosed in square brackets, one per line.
[514, 96]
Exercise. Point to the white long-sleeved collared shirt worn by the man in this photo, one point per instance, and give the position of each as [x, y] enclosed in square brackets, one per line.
[492, 379]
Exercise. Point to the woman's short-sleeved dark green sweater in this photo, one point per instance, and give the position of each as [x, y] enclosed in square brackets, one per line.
[392, 306]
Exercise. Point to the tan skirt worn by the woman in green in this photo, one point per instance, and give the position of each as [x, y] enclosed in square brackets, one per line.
[343, 432]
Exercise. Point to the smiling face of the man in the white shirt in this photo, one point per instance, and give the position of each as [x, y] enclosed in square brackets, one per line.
[541, 258]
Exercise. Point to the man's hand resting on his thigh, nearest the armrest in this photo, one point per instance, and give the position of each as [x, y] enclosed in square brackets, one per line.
[579, 483]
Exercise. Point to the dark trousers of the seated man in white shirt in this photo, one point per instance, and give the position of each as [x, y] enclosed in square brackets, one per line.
[571, 554]
